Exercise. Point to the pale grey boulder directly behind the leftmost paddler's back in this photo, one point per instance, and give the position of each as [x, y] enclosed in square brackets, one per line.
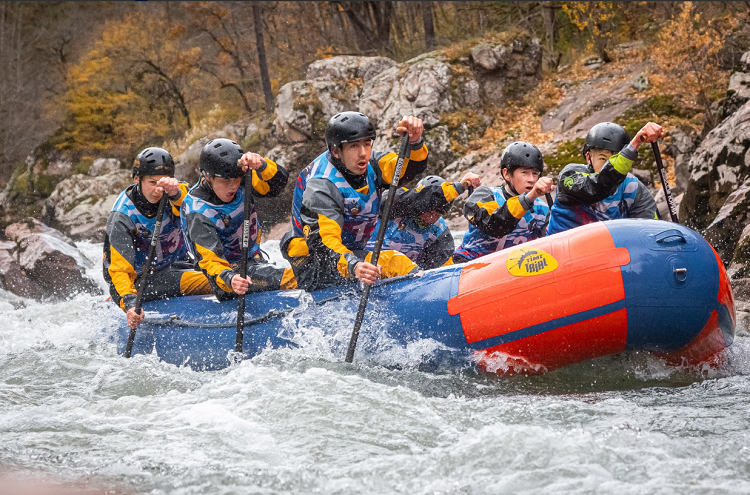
[79, 205]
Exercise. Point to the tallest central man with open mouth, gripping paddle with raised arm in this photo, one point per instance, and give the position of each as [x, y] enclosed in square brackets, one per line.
[337, 202]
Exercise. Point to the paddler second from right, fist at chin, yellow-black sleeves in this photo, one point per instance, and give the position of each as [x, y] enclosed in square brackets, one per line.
[501, 217]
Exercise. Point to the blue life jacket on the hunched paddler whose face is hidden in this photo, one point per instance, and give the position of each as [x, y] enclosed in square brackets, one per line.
[403, 235]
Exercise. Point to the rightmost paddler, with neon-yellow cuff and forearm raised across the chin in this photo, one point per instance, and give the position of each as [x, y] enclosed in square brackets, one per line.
[604, 188]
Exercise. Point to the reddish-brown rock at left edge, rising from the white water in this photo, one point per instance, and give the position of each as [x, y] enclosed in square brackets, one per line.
[41, 263]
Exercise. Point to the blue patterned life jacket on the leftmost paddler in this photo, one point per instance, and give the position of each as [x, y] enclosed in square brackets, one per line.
[171, 246]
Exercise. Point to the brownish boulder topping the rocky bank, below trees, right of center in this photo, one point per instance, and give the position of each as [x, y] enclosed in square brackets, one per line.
[506, 72]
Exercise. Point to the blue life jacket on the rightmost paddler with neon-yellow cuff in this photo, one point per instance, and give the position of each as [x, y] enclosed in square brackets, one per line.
[615, 206]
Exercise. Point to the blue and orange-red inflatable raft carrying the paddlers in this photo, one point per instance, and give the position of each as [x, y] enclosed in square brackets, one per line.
[600, 289]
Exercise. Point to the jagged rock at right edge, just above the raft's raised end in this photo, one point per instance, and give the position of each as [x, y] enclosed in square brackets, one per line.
[716, 167]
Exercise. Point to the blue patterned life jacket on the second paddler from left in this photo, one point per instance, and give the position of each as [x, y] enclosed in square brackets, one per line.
[228, 220]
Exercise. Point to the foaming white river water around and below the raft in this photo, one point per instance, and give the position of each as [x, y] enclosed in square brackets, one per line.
[74, 413]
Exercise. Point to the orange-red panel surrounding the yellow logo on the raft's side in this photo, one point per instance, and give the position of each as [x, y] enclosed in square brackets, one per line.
[490, 302]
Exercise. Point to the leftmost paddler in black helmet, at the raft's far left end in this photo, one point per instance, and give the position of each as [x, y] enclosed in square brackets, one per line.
[128, 234]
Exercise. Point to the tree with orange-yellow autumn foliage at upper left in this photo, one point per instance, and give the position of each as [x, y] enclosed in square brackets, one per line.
[131, 88]
